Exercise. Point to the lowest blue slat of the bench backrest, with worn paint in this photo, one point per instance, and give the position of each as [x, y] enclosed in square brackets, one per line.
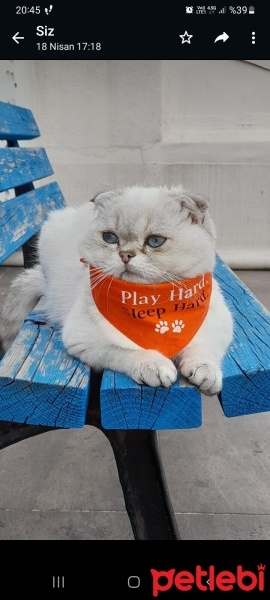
[22, 217]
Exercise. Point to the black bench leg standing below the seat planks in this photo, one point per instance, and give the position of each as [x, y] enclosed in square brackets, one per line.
[143, 483]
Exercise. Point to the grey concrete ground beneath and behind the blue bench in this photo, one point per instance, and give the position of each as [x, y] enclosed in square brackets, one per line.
[63, 485]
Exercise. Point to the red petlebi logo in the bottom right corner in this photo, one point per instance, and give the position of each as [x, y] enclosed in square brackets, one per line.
[208, 579]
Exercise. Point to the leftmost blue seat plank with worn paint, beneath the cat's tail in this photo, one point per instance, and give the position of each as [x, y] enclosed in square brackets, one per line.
[40, 384]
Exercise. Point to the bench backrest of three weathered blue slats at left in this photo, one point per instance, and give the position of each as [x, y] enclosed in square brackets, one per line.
[22, 214]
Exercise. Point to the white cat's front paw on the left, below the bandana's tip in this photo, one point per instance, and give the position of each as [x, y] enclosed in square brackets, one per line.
[154, 369]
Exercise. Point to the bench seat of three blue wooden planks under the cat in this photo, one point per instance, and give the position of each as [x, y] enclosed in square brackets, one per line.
[40, 384]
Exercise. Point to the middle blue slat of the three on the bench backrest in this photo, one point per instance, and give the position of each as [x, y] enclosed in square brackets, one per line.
[20, 165]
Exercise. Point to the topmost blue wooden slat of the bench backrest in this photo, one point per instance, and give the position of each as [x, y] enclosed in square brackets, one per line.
[17, 123]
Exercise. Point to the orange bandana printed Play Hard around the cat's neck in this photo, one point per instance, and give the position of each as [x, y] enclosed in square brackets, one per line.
[162, 316]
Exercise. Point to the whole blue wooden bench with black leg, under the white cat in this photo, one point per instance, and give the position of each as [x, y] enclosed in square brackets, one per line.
[42, 388]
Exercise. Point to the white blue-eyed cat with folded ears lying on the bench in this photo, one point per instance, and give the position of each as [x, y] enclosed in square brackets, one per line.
[136, 235]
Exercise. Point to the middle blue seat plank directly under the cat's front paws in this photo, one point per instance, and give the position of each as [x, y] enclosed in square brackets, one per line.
[127, 405]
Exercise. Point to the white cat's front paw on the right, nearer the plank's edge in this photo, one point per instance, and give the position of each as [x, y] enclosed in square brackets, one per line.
[205, 375]
